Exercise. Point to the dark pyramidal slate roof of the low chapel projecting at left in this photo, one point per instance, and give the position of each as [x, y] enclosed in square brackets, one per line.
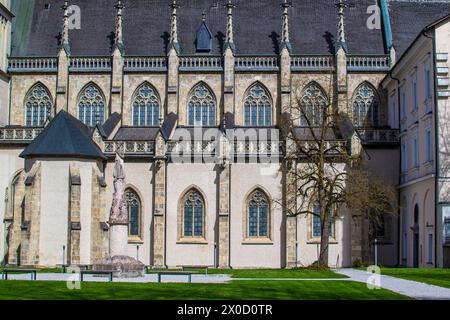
[65, 136]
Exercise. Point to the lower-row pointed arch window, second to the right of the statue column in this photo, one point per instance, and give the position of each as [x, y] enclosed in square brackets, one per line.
[193, 215]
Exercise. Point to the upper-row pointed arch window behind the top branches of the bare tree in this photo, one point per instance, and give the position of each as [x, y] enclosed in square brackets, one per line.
[313, 106]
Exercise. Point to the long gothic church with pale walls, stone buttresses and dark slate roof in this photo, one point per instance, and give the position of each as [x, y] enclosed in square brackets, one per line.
[162, 83]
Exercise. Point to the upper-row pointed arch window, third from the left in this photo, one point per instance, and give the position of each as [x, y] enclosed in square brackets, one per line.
[145, 106]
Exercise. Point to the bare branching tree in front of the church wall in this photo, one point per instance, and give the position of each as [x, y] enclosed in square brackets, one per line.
[323, 177]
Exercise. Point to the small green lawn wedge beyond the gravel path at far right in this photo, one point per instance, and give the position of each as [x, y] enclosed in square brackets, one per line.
[438, 277]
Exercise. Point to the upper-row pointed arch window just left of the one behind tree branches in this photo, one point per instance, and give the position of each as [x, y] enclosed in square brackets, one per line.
[257, 107]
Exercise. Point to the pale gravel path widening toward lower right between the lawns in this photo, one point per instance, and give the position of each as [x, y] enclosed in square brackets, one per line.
[413, 289]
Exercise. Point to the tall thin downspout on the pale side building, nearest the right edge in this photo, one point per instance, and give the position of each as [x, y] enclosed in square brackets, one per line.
[436, 148]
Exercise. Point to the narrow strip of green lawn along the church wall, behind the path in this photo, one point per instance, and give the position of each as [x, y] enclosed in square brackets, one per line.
[275, 273]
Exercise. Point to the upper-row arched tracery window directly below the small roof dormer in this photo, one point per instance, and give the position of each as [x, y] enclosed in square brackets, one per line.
[202, 107]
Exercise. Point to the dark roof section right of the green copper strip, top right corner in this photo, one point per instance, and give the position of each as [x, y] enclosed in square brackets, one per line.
[410, 18]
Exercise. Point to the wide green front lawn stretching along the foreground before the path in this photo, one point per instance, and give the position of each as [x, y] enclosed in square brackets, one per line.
[237, 290]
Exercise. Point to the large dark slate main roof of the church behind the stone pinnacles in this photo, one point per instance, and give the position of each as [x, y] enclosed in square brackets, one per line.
[257, 26]
